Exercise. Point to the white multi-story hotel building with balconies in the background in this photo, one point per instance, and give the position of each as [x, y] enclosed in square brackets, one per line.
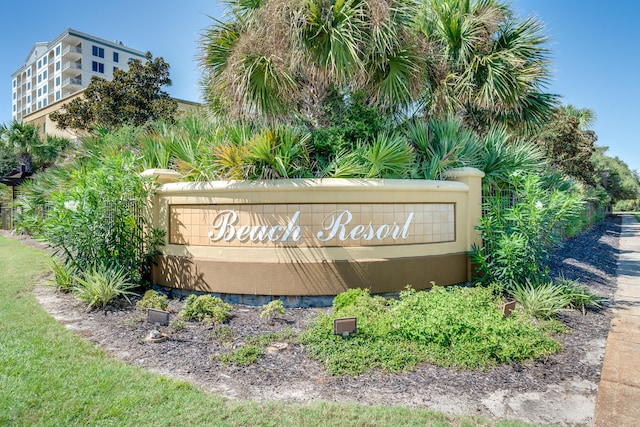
[56, 70]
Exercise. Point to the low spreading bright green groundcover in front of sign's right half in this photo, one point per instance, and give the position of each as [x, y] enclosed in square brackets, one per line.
[457, 327]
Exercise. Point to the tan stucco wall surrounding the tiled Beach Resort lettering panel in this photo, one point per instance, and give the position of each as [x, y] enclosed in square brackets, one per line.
[290, 269]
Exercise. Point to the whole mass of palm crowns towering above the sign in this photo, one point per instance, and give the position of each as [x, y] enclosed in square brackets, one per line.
[284, 60]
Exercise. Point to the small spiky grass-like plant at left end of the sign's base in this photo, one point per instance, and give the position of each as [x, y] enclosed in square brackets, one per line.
[99, 286]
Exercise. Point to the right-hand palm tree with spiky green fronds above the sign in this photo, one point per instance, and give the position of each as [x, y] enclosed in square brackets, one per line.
[489, 66]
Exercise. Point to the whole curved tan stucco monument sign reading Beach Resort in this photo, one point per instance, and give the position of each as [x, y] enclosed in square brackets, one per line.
[307, 238]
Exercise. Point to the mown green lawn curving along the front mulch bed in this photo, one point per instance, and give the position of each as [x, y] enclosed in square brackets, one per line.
[49, 376]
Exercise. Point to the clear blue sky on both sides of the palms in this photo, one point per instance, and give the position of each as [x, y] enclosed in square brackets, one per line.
[595, 48]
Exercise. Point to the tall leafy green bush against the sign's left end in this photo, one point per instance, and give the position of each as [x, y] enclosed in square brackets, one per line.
[100, 219]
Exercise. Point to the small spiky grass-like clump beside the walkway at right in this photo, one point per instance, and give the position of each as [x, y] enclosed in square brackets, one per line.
[543, 300]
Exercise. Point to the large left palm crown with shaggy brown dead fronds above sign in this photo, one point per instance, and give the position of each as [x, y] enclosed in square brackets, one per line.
[282, 60]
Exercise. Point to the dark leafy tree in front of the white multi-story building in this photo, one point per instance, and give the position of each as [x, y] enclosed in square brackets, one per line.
[134, 97]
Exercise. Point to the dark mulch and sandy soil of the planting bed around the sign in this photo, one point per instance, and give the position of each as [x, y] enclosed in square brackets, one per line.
[558, 390]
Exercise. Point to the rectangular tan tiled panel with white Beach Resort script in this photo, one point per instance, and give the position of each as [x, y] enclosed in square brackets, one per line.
[311, 225]
